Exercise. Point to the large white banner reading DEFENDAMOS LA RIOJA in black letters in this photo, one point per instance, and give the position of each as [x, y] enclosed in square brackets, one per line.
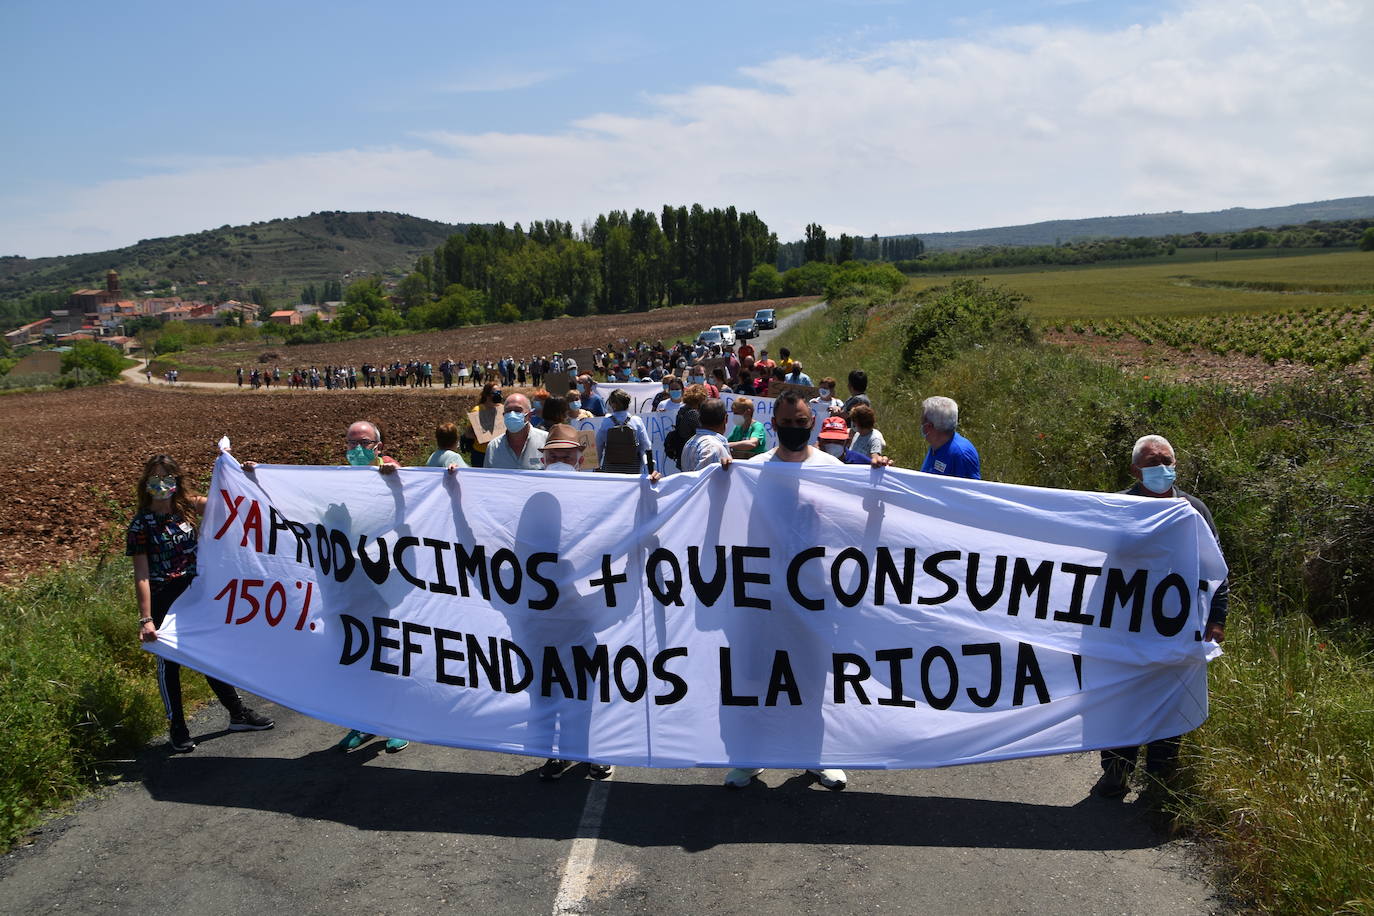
[756, 616]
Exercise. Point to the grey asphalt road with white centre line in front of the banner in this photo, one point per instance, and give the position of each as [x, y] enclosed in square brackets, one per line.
[278, 822]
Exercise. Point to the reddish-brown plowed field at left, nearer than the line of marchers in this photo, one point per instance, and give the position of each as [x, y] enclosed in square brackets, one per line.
[71, 461]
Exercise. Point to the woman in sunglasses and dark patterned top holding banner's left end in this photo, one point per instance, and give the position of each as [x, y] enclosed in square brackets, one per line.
[163, 542]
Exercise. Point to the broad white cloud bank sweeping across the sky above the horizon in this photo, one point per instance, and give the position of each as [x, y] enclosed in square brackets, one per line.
[1219, 104]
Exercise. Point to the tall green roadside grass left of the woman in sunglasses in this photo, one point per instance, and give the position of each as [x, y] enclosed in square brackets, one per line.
[76, 691]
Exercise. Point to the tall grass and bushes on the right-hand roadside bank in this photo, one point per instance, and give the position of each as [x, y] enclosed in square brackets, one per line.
[1281, 778]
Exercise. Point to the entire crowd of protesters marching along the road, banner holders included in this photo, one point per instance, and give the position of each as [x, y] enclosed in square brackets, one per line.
[535, 435]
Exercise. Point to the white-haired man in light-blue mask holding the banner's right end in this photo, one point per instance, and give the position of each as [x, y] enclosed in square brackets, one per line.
[1153, 466]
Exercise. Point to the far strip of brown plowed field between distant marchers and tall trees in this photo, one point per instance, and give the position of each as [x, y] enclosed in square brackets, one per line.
[484, 343]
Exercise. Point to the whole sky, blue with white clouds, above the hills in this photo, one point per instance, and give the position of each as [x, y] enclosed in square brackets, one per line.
[141, 120]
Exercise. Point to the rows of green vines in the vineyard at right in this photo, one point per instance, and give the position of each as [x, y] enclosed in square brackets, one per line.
[1333, 337]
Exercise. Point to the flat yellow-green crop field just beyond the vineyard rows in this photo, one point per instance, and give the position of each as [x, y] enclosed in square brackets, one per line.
[1196, 288]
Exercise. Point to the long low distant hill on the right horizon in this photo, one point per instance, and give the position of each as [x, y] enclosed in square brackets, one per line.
[1151, 225]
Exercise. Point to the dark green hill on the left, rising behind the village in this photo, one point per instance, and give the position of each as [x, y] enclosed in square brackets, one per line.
[280, 256]
